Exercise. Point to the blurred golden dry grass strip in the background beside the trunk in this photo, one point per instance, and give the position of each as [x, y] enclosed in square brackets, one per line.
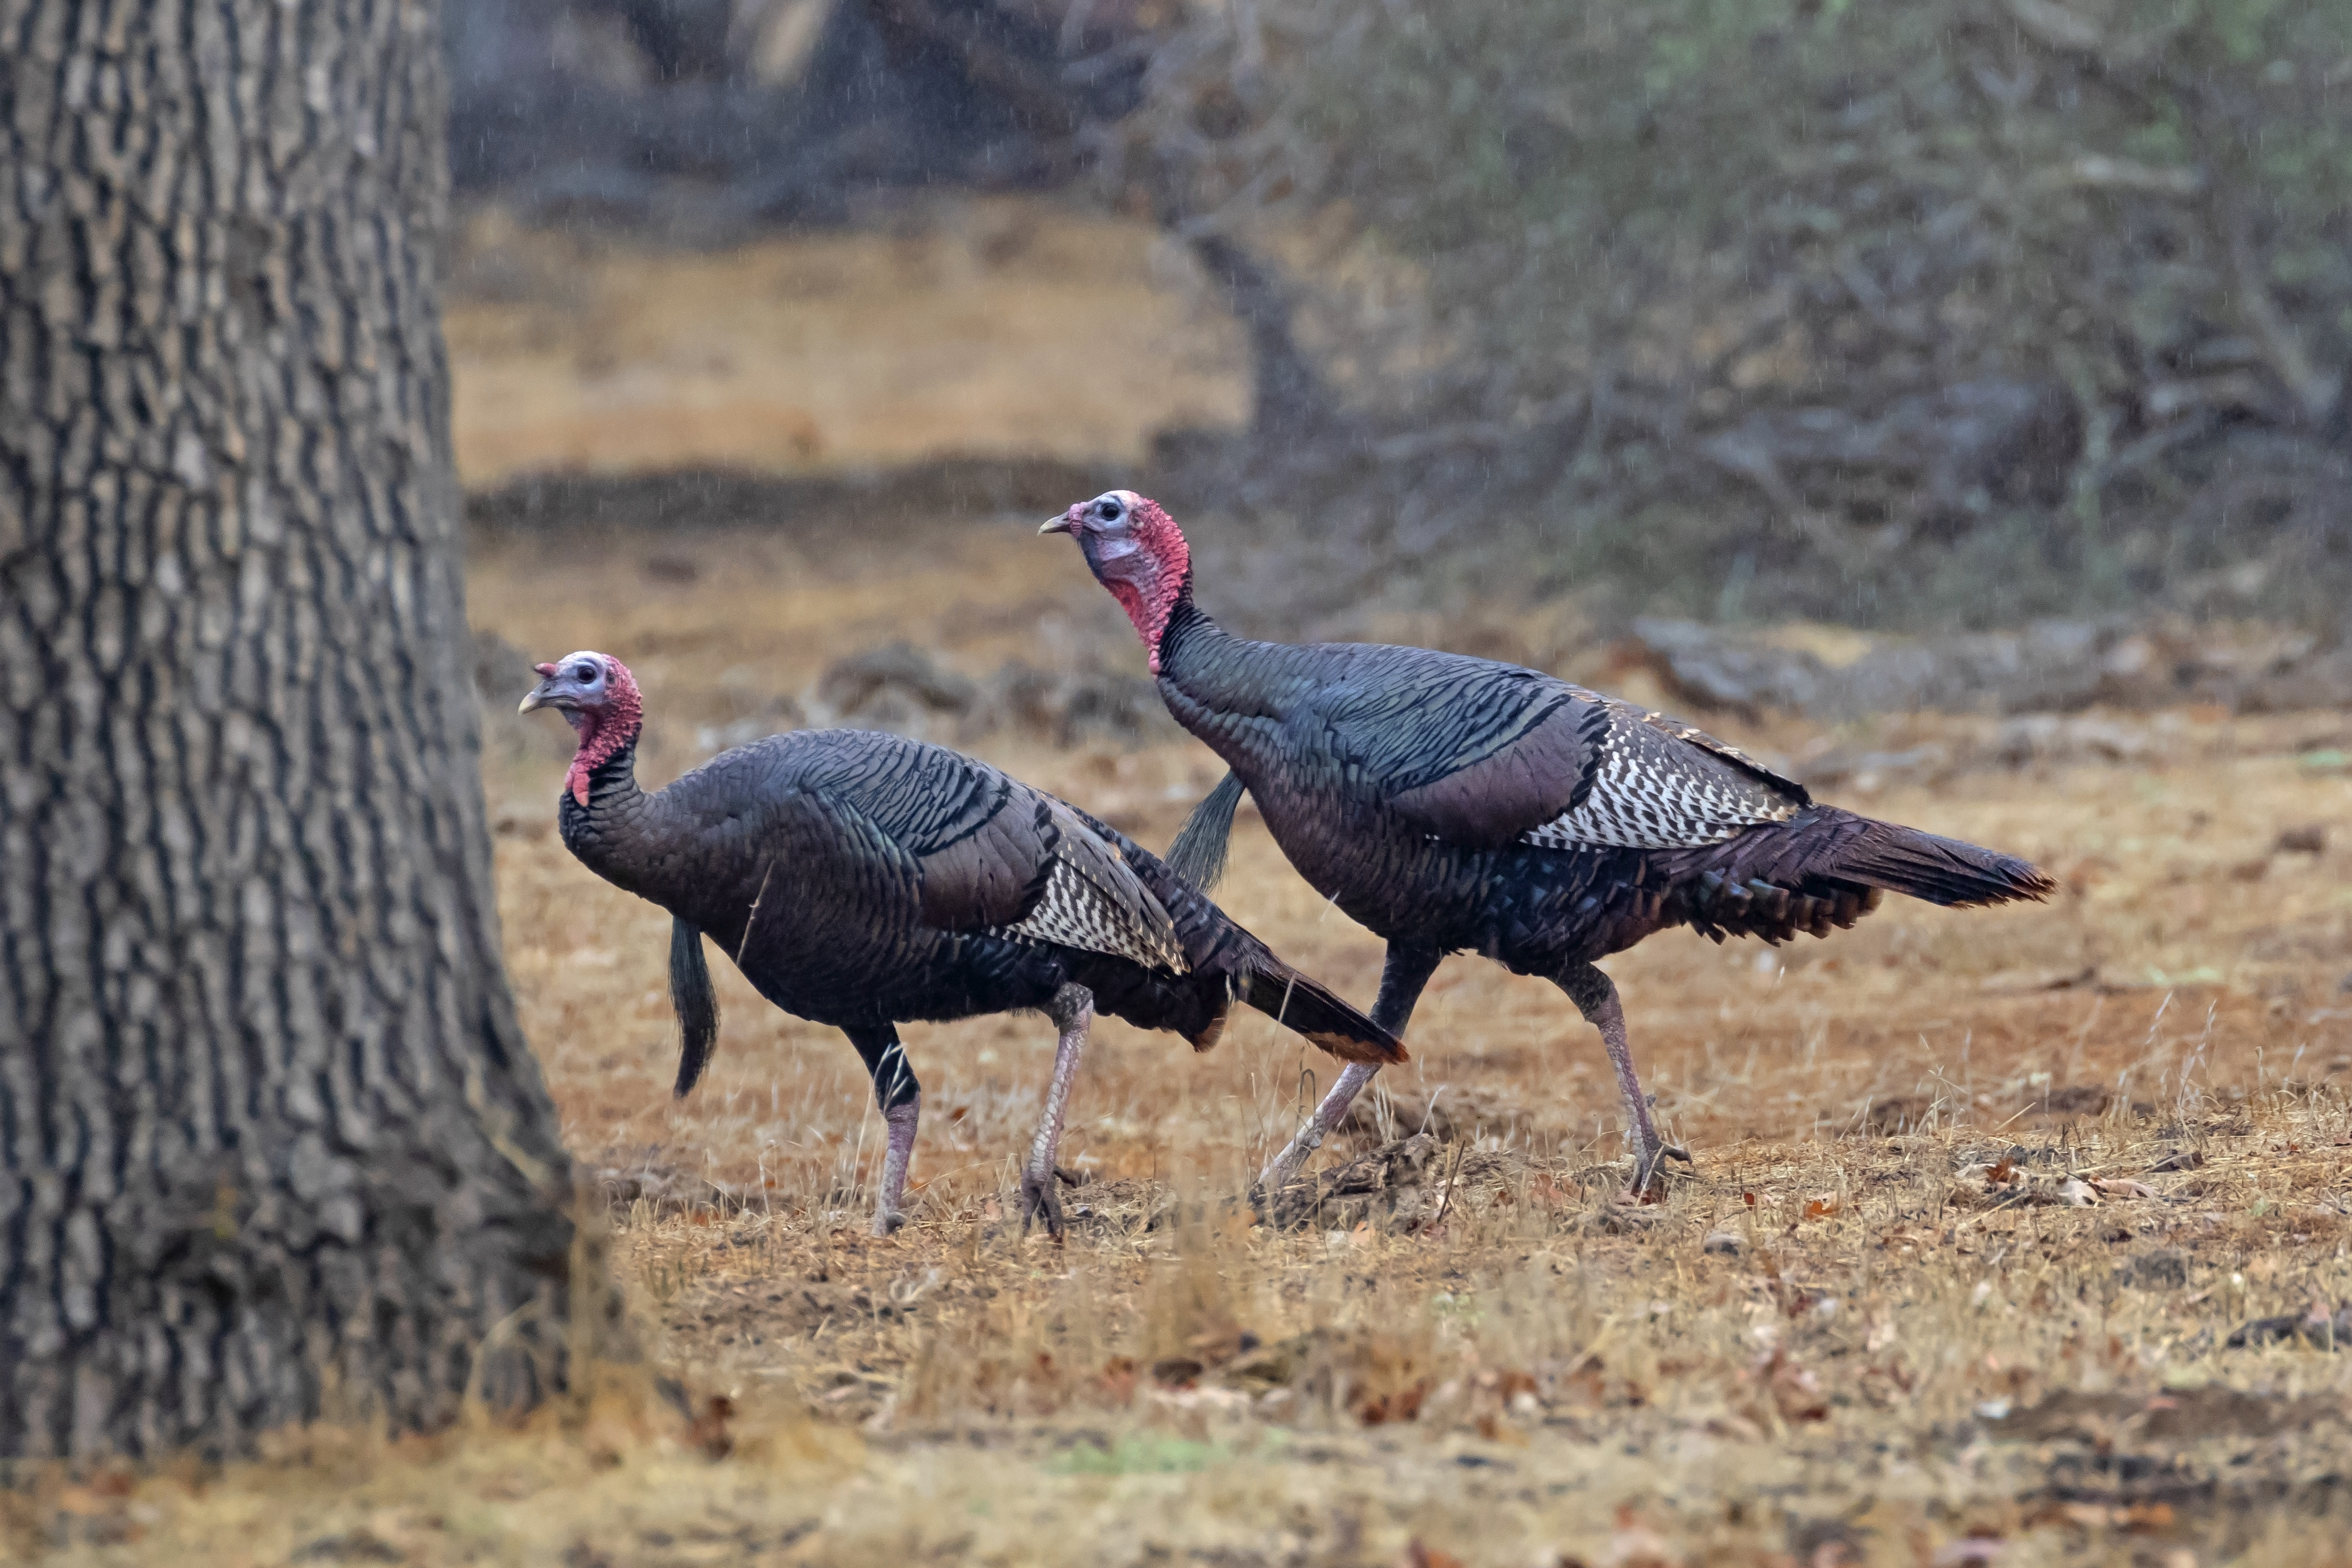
[982, 326]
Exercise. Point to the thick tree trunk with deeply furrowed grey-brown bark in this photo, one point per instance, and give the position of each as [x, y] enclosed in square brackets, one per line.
[272, 1144]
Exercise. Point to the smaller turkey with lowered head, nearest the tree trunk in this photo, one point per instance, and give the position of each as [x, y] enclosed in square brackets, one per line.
[864, 880]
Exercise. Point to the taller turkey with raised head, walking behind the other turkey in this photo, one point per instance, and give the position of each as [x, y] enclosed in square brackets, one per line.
[1462, 805]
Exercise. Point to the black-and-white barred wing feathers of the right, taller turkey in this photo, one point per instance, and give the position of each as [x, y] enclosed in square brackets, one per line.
[1666, 786]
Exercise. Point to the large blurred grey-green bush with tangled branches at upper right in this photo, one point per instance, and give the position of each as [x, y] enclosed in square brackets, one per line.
[1899, 272]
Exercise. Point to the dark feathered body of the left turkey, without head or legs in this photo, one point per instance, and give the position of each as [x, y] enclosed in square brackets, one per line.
[864, 880]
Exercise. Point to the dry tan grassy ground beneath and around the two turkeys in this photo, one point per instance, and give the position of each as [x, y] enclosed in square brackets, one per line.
[1977, 1209]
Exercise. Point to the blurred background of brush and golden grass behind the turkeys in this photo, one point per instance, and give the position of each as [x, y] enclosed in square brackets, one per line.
[1930, 316]
